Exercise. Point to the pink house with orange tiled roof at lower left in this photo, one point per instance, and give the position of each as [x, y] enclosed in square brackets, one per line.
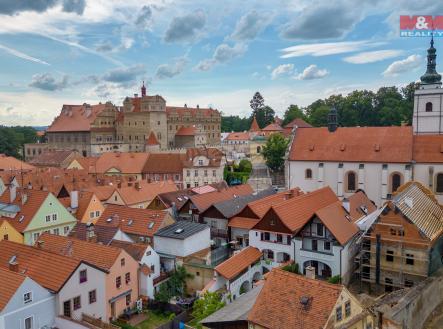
[121, 269]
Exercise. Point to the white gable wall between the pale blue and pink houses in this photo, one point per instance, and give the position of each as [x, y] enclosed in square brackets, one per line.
[73, 288]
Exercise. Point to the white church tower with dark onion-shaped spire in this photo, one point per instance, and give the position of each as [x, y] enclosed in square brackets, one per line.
[428, 99]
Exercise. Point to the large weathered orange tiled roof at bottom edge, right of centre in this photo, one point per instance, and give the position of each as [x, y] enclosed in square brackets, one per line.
[282, 291]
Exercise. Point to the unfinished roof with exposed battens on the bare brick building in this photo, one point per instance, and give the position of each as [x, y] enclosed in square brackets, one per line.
[421, 209]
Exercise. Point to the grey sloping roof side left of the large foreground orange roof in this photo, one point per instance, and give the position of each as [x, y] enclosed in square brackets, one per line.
[238, 310]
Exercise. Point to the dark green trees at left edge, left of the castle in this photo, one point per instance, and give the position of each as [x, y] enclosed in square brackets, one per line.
[13, 138]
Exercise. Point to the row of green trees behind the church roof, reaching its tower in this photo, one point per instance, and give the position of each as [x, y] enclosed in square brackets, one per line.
[388, 106]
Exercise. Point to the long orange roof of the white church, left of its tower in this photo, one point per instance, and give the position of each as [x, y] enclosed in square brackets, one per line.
[353, 144]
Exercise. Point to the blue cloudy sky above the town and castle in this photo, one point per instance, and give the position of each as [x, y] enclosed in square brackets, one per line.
[210, 53]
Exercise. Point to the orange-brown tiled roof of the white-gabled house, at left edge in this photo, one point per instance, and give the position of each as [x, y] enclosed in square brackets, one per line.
[48, 269]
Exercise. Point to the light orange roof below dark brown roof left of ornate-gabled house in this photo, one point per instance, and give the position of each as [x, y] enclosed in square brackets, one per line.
[145, 192]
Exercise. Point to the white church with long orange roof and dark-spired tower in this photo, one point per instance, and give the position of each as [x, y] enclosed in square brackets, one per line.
[376, 160]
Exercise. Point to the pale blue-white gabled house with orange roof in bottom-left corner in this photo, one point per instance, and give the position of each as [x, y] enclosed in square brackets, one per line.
[24, 303]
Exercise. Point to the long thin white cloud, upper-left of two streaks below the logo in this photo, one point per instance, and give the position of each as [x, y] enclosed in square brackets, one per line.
[327, 48]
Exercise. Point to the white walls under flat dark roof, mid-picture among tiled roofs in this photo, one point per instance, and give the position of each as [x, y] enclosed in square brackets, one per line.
[183, 248]
